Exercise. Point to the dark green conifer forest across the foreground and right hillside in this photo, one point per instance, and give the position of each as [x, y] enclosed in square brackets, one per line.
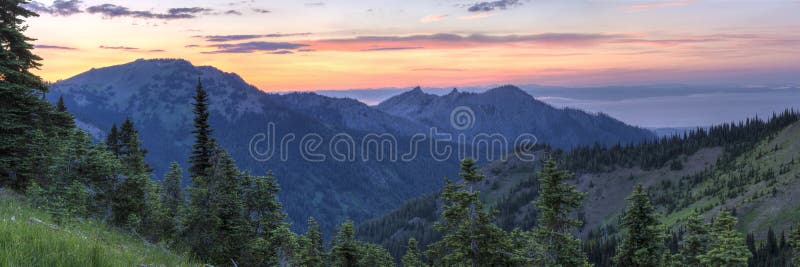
[228, 217]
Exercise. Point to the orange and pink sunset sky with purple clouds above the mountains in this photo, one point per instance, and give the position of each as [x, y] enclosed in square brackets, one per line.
[329, 44]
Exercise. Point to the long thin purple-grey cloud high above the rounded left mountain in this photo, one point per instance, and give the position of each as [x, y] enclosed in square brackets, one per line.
[114, 11]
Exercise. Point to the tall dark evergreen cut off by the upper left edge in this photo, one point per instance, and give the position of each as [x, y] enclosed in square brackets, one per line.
[22, 111]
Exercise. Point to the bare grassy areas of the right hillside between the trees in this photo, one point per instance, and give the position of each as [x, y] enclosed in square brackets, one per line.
[606, 193]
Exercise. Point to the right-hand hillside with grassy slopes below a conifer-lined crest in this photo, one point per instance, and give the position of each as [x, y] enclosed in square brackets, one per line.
[755, 176]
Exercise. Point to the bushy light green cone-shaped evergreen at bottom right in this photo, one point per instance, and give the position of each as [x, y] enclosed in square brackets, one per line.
[727, 246]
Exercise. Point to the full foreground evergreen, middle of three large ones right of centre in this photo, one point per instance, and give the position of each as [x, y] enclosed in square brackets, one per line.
[557, 199]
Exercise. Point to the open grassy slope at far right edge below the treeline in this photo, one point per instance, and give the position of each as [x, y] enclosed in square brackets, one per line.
[760, 204]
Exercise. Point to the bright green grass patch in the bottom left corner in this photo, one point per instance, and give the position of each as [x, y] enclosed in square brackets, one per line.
[26, 242]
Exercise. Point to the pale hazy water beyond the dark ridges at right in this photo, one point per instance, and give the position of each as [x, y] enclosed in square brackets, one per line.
[685, 111]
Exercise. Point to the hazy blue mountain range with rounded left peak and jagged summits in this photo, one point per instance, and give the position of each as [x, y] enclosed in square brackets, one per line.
[157, 95]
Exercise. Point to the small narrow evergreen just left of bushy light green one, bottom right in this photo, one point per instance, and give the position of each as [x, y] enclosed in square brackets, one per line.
[695, 242]
